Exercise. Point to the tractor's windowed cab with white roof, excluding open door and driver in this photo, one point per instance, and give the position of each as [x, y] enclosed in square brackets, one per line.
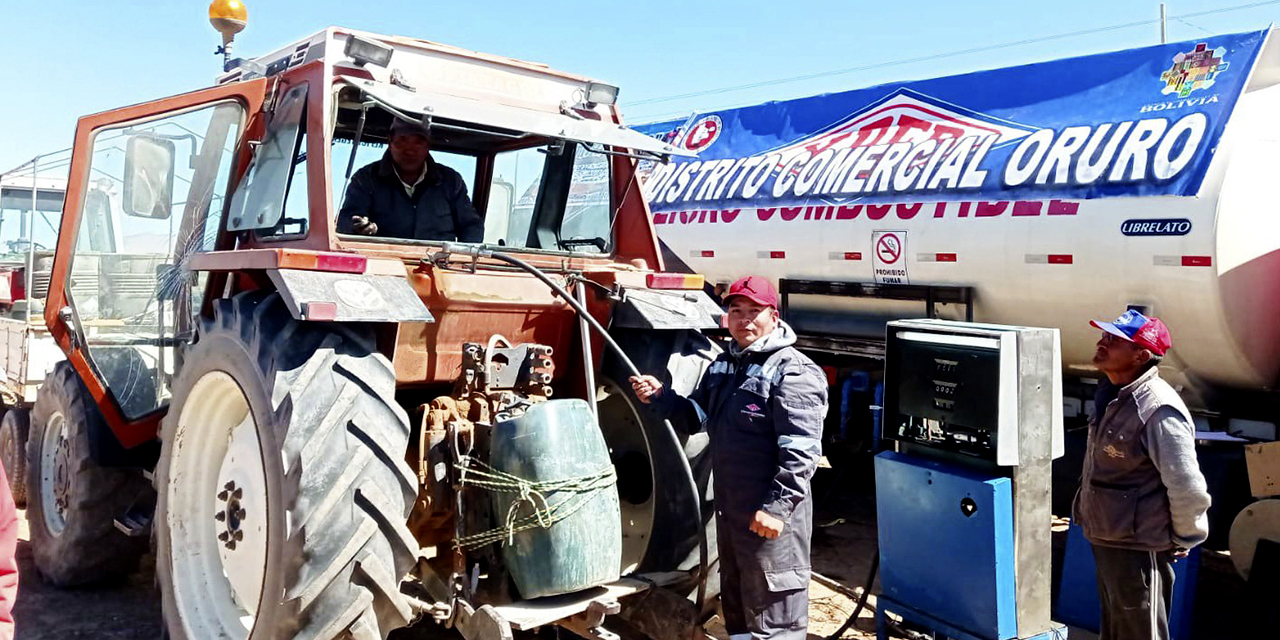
[540, 150]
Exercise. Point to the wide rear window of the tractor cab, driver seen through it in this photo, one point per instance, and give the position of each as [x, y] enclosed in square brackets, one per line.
[520, 190]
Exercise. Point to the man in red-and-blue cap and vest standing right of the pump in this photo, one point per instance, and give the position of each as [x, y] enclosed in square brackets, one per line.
[1142, 502]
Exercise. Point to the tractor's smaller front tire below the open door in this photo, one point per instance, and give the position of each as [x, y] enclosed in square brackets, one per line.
[72, 501]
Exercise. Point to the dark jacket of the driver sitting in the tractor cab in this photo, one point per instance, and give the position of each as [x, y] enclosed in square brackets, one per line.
[440, 209]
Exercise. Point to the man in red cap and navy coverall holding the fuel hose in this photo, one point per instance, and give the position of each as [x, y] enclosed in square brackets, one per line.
[764, 405]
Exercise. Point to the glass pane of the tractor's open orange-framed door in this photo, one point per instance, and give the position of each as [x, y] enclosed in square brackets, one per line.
[156, 198]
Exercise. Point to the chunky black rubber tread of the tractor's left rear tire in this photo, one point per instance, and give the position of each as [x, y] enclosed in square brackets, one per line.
[326, 382]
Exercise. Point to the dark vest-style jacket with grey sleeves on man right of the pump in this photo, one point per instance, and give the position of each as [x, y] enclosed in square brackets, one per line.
[1142, 487]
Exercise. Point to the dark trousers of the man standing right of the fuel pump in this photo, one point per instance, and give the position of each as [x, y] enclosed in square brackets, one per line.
[1136, 589]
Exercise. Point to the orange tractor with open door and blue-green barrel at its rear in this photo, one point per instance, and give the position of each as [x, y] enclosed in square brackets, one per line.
[328, 436]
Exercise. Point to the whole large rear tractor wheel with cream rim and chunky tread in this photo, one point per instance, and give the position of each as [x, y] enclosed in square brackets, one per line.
[284, 490]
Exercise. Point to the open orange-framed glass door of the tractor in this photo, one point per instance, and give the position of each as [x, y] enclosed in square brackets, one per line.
[149, 188]
